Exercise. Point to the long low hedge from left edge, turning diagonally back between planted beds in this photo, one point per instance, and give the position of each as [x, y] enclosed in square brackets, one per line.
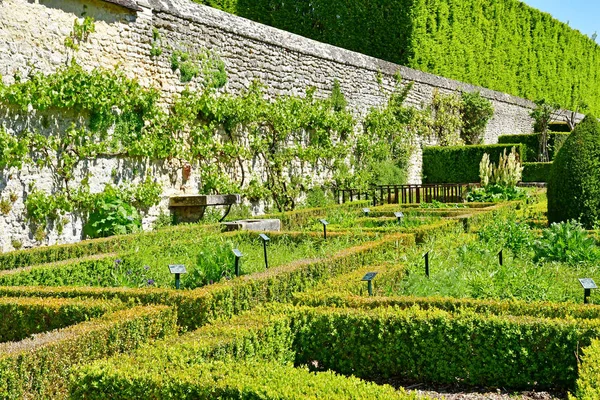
[225, 299]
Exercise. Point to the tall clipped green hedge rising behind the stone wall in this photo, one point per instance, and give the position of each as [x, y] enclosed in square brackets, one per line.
[500, 44]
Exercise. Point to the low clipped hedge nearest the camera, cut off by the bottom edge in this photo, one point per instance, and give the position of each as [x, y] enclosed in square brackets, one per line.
[229, 380]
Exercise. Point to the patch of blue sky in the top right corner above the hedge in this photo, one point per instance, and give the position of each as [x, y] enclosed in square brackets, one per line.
[583, 15]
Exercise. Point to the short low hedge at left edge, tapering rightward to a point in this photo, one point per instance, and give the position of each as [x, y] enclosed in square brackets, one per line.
[23, 317]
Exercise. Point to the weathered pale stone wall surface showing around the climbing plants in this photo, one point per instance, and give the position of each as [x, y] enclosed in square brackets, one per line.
[32, 34]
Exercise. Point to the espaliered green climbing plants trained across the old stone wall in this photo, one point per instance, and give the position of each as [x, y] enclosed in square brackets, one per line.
[227, 137]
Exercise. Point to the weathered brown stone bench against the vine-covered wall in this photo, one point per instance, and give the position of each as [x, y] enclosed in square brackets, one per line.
[191, 208]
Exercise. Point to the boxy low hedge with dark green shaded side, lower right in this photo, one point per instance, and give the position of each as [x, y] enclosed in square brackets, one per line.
[437, 346]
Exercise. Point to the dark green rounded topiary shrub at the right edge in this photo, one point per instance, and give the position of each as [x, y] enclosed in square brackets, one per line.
[574, 183]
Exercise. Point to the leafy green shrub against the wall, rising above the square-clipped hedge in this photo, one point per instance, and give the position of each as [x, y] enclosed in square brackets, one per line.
[476, 111]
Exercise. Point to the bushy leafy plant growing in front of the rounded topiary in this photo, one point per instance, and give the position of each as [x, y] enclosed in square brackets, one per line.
[566, 242]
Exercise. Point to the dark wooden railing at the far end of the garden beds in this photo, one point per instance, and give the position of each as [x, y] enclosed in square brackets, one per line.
[407, 194]
